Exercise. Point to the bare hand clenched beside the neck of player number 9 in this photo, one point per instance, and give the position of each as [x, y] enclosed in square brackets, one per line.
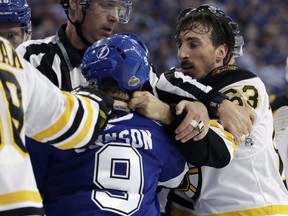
[146, 104]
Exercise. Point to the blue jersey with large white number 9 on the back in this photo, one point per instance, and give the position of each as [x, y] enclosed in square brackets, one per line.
[119, 175]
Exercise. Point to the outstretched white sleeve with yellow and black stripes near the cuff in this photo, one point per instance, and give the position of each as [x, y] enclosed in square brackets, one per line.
[61, 118]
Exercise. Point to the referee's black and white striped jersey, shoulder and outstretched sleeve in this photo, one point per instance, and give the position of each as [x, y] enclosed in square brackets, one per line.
[58, 60]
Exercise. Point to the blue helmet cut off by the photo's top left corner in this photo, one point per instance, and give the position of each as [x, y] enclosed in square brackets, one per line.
[16, 12]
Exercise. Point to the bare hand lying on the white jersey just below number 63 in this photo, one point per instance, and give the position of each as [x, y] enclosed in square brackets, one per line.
[236, 119]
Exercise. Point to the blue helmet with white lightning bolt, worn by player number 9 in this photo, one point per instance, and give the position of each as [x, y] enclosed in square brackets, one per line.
[117, 57]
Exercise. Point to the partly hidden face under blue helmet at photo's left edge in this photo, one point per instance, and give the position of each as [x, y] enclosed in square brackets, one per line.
[14, 33]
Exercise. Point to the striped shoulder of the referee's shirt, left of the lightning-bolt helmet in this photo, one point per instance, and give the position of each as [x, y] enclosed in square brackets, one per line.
[56, 58]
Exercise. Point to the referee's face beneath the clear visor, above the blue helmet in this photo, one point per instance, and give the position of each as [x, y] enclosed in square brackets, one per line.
[101, 17]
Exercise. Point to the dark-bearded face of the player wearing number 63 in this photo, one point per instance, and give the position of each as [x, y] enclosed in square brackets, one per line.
[197, 55]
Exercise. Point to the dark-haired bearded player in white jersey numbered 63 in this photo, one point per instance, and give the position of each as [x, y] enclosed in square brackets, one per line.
[251, 183]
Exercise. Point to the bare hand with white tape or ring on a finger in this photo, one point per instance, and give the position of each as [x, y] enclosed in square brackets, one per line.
[196, 112]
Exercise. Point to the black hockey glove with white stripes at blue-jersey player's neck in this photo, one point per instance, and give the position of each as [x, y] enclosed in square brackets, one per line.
[89, 89]
